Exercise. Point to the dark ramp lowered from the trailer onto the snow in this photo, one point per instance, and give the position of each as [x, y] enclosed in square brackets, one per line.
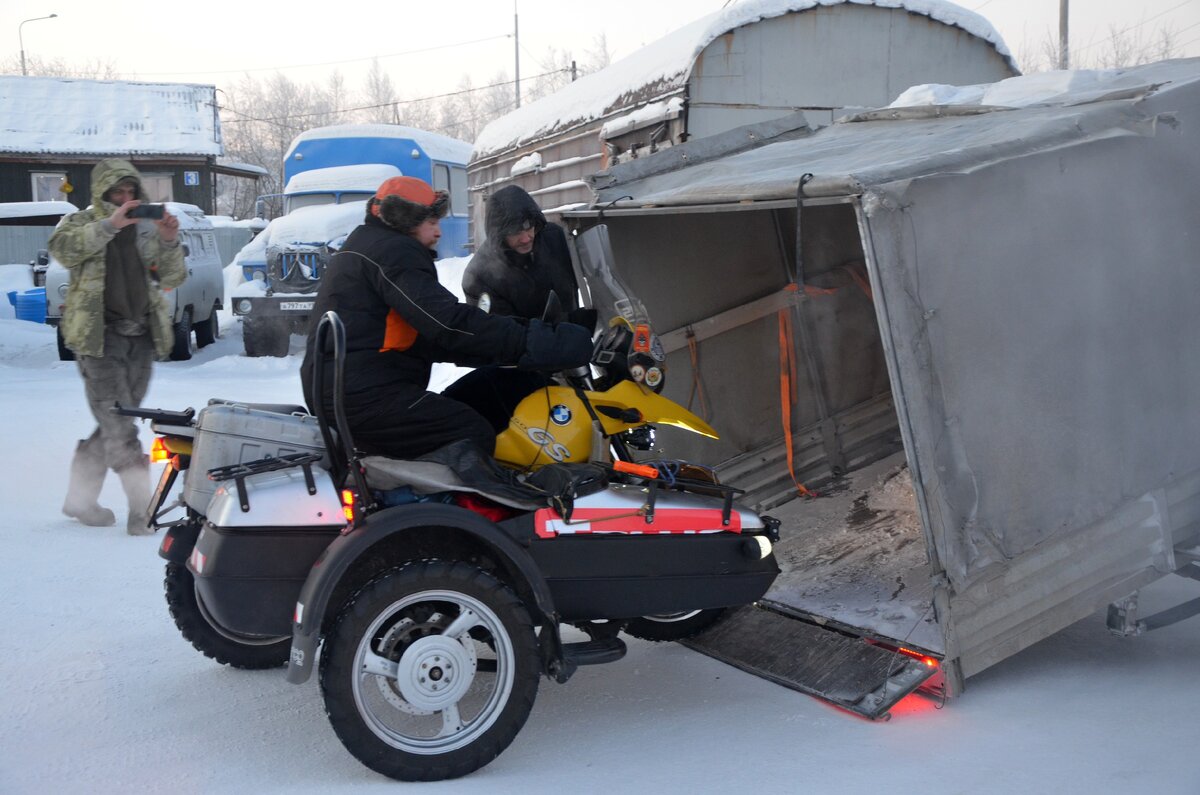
[845, 671]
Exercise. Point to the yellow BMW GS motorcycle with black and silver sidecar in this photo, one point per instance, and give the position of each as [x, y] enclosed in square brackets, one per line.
[440, 588]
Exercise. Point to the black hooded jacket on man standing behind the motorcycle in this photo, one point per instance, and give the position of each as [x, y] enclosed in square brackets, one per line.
[519, 285]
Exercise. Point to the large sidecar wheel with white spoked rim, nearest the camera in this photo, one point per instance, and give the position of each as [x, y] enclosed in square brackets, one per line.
[430, 671]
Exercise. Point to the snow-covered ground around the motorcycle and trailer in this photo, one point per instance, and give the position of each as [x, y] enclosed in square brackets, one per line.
[101, 695]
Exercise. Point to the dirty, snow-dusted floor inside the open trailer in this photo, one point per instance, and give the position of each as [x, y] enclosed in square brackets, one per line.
[856, 555]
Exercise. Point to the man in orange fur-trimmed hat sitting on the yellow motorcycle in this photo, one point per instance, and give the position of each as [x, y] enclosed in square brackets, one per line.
[399, 321]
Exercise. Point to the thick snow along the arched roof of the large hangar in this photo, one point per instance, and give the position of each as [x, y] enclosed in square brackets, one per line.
[668, 63]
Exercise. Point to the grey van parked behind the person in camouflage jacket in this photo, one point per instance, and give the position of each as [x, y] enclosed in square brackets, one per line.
[194, 304]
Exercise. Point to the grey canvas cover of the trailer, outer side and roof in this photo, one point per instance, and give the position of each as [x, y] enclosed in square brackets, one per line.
[1036, 276]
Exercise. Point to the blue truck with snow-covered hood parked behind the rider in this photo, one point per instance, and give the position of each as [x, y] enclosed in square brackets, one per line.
[338, 165]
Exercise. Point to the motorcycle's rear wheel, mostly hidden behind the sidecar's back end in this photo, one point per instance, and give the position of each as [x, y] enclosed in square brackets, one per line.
[250, 653]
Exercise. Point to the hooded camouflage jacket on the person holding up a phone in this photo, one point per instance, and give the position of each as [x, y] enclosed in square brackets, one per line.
[81, 243]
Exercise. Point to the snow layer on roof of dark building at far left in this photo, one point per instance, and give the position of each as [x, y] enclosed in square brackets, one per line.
[76, 117]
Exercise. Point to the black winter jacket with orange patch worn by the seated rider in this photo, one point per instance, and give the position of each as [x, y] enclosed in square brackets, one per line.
[399, 320]
